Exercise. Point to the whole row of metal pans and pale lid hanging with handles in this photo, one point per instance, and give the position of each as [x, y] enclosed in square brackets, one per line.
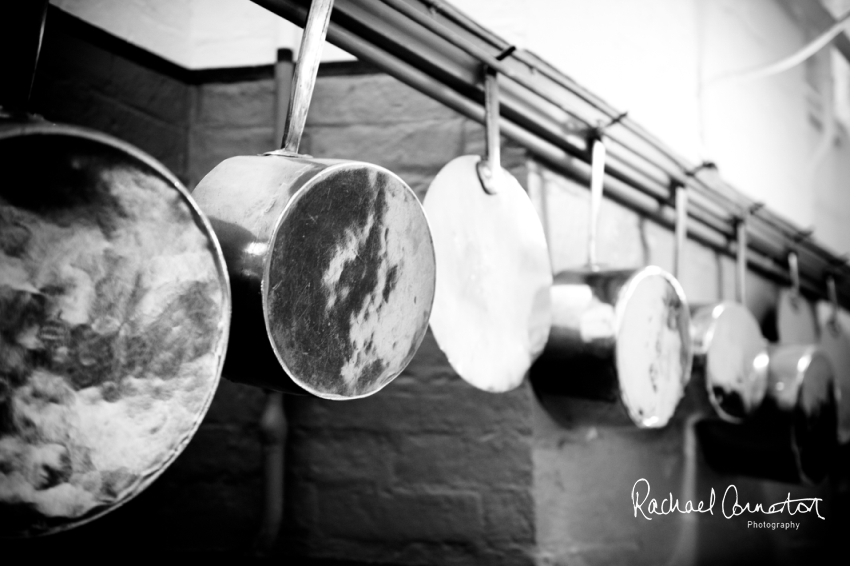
[124, 298]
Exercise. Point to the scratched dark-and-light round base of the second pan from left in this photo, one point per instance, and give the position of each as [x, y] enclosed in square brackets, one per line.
[349, 285]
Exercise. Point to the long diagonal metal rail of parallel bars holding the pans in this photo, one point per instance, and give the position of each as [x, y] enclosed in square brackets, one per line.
[439, 51]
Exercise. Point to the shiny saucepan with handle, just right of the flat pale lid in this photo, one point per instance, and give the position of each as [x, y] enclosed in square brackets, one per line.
[617, 334]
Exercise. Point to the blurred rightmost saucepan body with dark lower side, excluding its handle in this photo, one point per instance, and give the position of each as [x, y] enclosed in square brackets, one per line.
[802, 388]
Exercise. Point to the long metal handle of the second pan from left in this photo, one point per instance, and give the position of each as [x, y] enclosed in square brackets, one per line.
[306, 68]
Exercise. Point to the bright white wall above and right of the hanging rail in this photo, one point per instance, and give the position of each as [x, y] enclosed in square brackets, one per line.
[657, 59]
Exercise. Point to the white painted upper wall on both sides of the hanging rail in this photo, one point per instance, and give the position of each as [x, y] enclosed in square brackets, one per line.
[654, 58]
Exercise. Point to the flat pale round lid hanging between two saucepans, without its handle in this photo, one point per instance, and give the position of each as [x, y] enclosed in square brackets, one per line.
[492, 307]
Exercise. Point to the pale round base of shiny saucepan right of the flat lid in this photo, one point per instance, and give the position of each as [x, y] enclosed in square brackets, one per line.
[654, 351]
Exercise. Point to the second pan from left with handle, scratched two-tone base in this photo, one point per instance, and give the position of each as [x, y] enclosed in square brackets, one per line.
[331, 261]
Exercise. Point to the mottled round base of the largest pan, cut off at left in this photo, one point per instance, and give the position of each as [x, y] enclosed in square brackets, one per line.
[115, 316]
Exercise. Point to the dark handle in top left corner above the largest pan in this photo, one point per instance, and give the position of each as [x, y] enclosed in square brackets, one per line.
[20, 44]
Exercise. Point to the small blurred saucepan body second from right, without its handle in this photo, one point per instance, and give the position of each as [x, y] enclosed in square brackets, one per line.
[731, 355]
